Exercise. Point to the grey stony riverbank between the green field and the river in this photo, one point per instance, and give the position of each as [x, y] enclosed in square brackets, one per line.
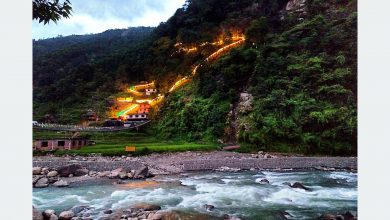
[175, 163]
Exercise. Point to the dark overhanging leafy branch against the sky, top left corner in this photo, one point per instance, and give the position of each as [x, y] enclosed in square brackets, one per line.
[50, 10]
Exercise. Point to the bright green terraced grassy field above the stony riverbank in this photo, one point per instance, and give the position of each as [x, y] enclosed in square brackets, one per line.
[113, 143]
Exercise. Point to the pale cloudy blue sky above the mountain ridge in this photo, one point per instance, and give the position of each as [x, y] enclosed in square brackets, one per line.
[95, 16]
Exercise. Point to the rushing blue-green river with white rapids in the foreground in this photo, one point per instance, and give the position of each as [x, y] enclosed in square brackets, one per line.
[239, 194]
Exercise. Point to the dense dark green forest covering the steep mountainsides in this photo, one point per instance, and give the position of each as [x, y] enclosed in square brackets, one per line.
[291, 88]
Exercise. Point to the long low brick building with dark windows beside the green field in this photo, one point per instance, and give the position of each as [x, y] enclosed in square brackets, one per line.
[60, 144]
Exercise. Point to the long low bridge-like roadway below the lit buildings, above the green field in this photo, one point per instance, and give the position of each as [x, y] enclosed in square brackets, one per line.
[79, 128]
